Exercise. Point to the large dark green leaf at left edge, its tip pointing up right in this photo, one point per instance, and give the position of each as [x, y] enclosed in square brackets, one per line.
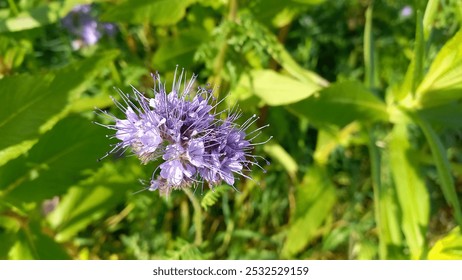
[27, 103]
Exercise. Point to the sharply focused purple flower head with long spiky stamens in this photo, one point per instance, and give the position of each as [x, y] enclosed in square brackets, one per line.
[184, 129]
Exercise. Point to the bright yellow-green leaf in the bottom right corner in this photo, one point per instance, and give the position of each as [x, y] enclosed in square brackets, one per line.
[448, 247]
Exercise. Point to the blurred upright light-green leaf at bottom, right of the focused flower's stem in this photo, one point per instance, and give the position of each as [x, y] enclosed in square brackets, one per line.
[315, 197]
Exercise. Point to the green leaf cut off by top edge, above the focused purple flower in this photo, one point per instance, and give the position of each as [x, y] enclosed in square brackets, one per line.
[157, 12]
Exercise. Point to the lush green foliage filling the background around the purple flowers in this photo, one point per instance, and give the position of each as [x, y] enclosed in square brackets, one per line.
[363, 99]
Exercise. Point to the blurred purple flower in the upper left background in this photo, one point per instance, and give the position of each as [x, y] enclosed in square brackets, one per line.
[83, 25]
